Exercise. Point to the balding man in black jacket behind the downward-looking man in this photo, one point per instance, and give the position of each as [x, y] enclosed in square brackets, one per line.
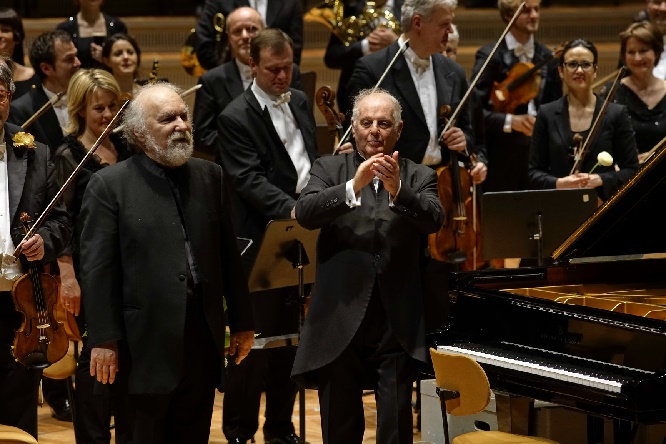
[222, 84]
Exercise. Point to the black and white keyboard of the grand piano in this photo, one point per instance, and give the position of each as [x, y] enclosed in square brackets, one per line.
[542, 367]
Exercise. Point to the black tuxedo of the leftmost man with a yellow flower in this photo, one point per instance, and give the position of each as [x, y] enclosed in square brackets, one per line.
[31, 187]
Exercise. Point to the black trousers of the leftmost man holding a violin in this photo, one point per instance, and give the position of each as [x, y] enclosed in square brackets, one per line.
[19, 385]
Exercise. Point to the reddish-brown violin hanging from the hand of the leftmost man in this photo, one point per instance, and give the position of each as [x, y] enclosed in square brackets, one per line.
[41, 340]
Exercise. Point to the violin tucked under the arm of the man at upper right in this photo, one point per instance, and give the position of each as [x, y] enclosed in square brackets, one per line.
[521, 85]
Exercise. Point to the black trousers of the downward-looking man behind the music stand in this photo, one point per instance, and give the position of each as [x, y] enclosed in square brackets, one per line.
[263, 370]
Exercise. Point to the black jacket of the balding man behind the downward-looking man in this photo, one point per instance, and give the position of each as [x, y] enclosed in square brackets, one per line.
[219, 87]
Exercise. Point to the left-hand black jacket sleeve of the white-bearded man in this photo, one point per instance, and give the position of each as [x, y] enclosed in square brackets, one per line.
[101, 274]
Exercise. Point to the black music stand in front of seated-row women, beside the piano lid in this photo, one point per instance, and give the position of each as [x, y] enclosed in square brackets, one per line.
[529, 224]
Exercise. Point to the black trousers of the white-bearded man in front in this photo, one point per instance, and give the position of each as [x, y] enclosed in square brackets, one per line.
[184, 415]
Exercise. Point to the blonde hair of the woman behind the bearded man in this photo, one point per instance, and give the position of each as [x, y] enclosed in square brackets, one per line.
[84, 83]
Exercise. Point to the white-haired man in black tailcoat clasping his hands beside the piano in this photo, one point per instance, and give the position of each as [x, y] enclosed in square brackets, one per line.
[365, 327]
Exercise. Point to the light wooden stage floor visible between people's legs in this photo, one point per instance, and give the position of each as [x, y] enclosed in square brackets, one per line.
[52, 431]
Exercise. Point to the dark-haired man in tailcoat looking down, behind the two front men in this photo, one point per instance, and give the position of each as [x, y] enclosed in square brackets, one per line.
[266, 144]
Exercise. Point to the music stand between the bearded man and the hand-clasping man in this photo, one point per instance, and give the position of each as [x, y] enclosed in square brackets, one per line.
[286, 247]
